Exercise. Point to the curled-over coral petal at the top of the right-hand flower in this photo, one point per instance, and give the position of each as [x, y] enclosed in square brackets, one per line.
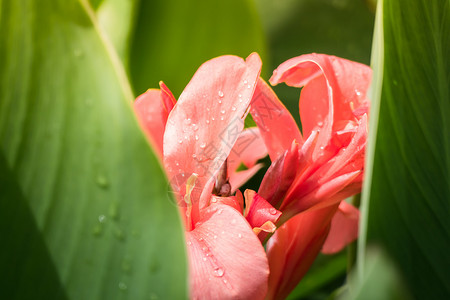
[334, 89]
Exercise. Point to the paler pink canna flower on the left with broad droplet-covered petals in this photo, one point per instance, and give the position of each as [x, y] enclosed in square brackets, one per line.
[201, 140]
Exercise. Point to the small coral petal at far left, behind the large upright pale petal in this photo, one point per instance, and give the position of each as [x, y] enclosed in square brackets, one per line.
[152, 115]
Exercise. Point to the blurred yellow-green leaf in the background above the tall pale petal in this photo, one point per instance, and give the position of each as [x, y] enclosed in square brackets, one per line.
[173, 38]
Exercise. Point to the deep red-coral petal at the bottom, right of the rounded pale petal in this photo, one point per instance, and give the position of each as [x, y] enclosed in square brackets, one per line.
[293, 248]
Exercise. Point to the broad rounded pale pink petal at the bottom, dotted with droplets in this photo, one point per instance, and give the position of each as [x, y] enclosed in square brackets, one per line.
[226, 259]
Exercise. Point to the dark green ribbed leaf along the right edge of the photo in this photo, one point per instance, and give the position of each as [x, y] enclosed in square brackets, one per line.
[409, 207]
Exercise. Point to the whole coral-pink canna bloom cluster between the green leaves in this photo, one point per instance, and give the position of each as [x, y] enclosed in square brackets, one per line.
[202, 142]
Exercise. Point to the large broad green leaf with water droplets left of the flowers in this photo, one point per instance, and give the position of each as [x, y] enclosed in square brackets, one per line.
[84, 209]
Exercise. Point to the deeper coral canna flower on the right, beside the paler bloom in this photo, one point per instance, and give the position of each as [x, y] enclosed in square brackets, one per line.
[311, 174]
